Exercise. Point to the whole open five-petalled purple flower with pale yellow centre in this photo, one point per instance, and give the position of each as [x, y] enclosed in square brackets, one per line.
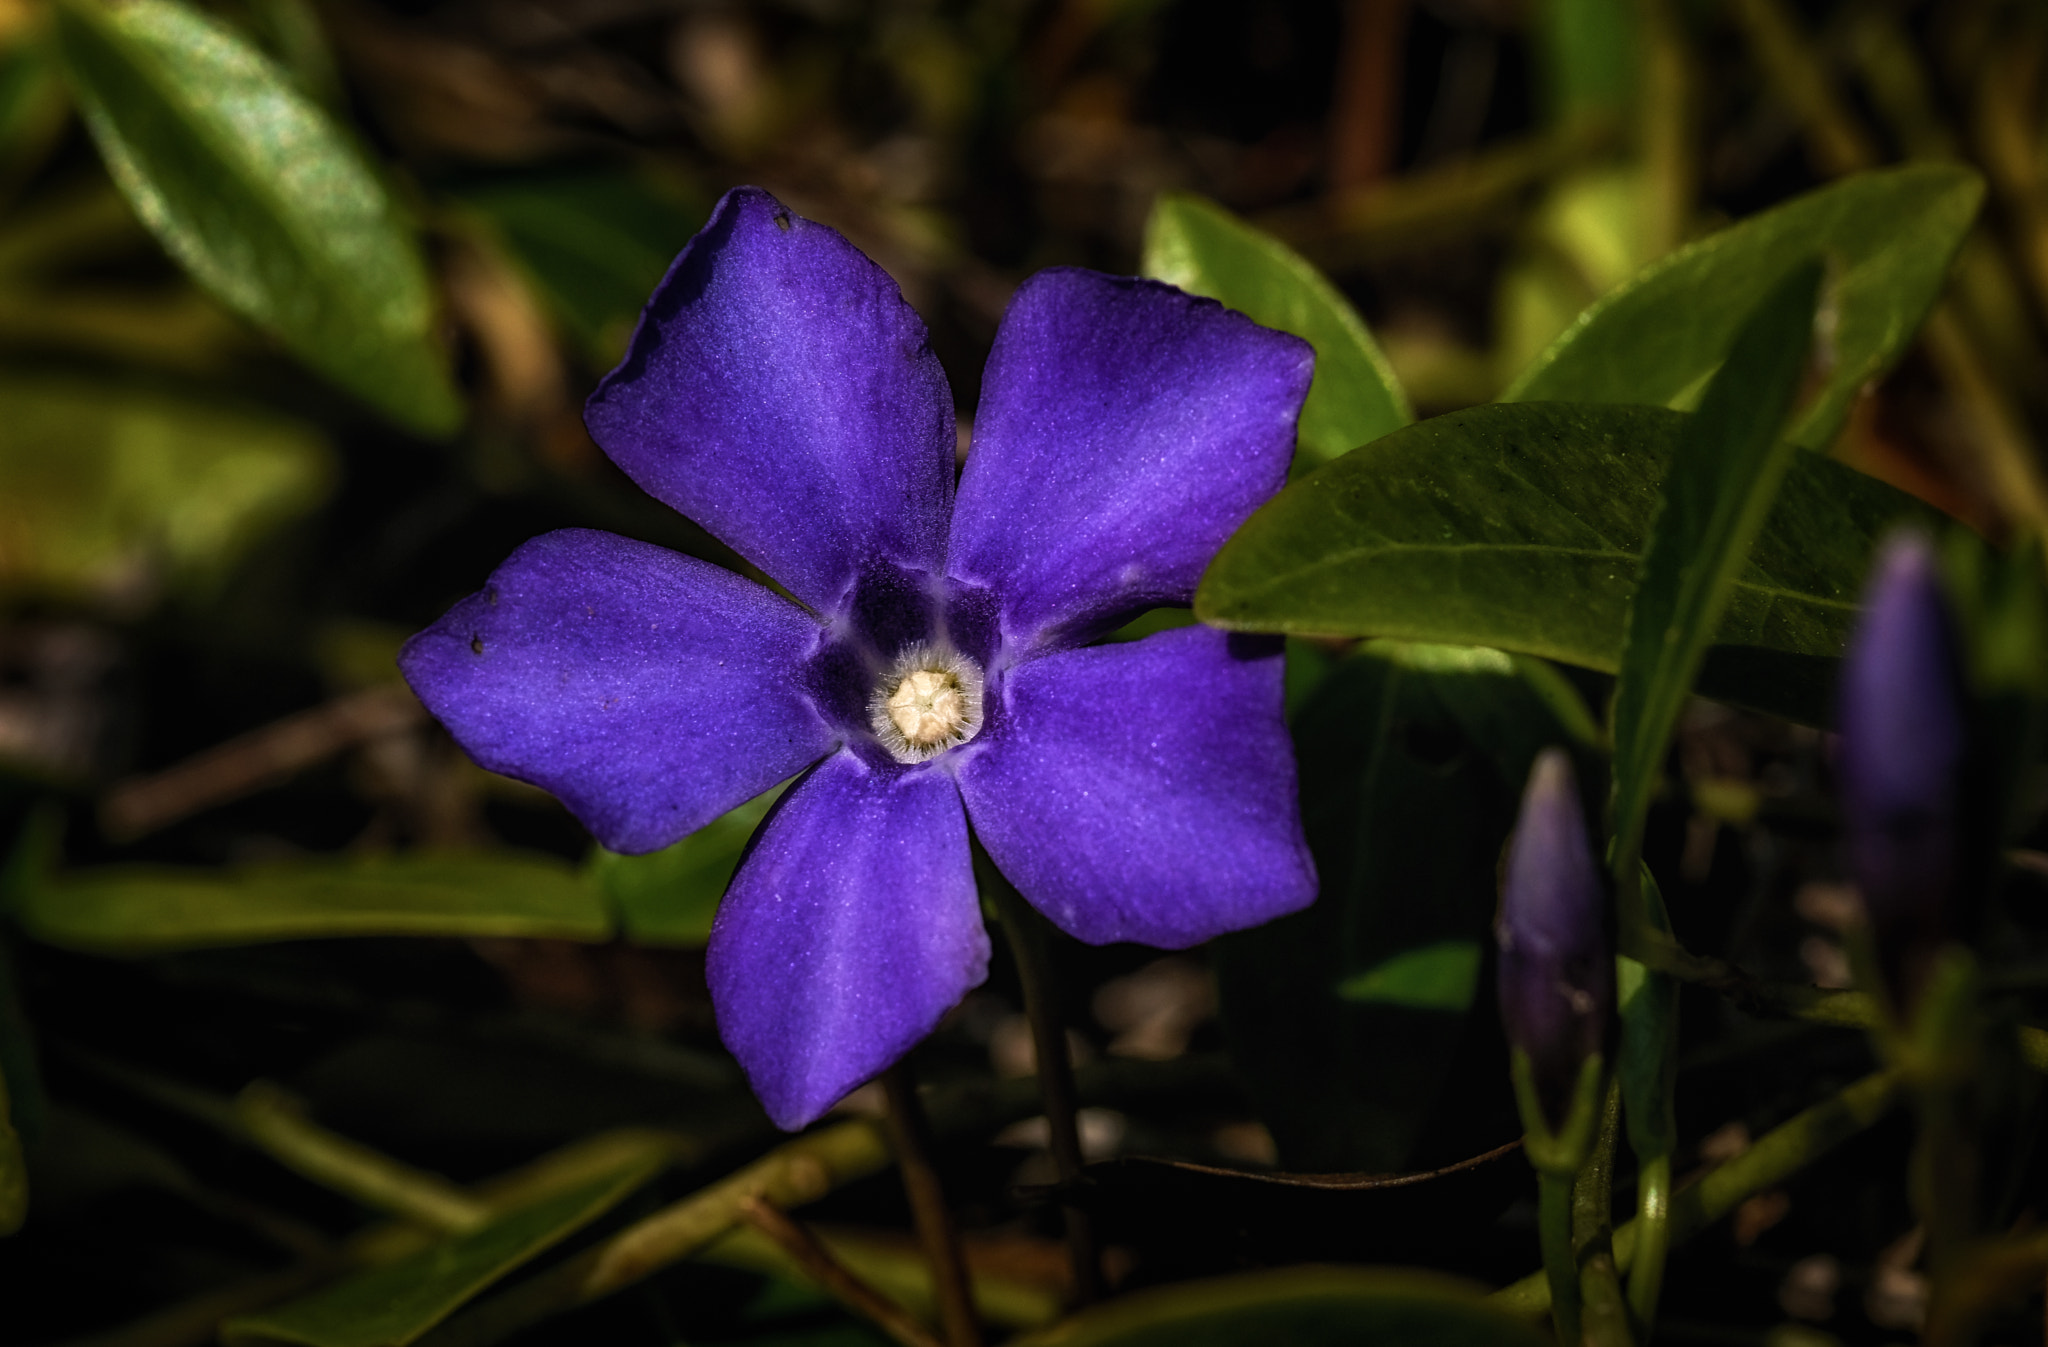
[935, 666]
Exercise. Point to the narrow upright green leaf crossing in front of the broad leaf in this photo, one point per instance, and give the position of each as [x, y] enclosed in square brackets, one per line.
[1717, 494]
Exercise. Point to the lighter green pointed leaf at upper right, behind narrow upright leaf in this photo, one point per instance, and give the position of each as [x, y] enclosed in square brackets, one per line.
[1887, 238]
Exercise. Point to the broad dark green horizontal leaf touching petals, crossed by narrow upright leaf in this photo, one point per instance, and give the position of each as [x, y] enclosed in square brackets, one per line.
[1521, 527]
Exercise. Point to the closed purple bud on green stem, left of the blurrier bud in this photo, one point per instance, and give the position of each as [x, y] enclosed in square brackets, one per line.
[1558, 965]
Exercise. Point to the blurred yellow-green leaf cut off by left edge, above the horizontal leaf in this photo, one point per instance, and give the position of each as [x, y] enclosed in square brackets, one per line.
[108, 490]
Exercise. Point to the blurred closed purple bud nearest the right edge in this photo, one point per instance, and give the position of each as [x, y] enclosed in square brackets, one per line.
[1902, 763]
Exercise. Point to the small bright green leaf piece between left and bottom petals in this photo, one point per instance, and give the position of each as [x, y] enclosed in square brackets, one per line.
[669, 898]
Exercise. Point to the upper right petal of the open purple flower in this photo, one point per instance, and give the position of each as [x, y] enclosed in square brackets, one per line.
[1125, 433]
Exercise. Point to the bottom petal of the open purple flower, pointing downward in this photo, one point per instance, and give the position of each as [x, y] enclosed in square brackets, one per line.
[849, 932]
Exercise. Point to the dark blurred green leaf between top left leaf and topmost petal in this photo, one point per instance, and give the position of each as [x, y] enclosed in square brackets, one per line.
[595, 241]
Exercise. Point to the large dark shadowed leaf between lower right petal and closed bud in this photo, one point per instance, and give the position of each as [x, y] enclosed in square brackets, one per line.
[1349, 1018]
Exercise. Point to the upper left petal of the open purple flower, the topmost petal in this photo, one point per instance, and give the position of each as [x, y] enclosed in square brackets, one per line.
[783, 394]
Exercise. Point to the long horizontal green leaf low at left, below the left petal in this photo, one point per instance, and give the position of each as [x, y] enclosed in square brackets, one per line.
[142, 910]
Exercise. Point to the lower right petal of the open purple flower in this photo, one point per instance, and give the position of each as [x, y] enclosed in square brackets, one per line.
[1146, 791]
